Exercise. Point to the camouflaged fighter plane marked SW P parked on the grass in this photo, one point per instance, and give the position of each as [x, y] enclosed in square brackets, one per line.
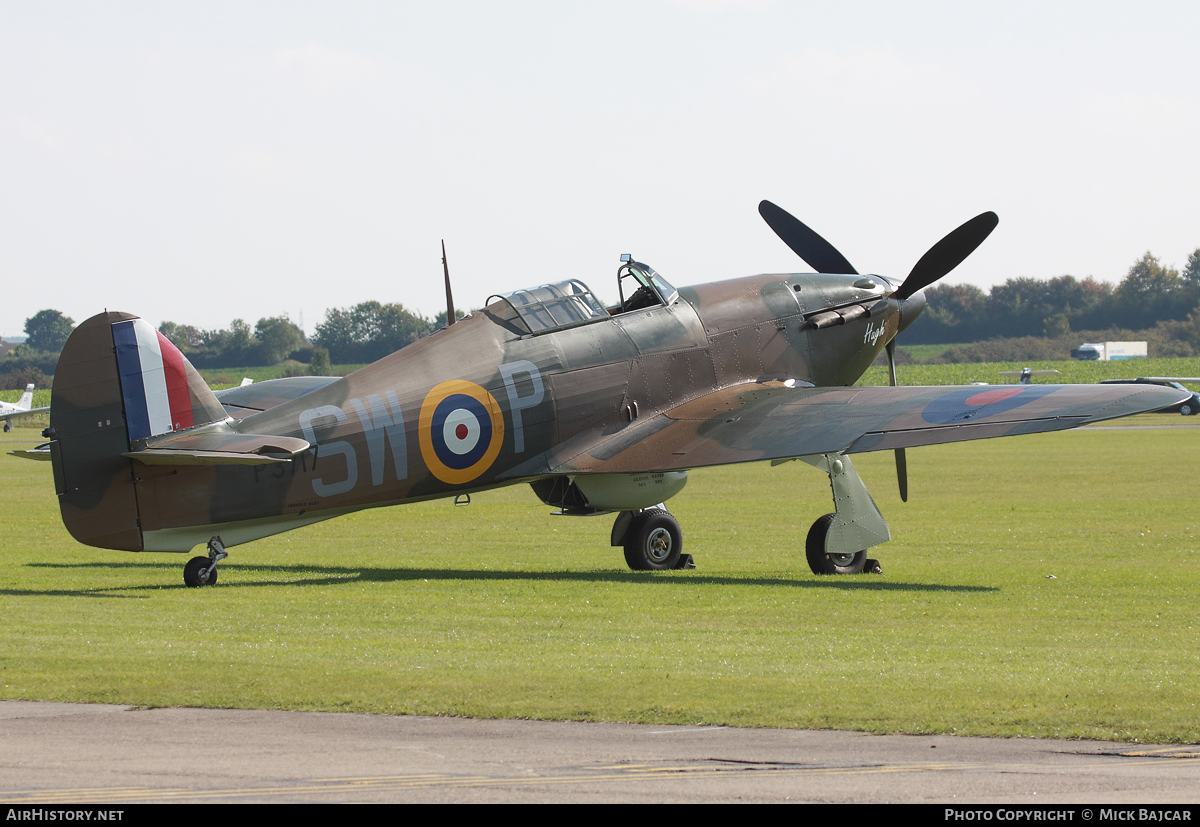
[599, 410]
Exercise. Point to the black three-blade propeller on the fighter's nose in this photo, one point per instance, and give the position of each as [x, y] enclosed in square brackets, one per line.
[939, 261]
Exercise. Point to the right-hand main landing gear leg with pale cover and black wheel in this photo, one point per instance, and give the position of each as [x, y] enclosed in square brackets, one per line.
[838, 543]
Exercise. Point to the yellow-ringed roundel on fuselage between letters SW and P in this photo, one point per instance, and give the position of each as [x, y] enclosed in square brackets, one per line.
[461, 430]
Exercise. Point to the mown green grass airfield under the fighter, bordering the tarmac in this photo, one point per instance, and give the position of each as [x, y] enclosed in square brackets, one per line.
[1036, 586]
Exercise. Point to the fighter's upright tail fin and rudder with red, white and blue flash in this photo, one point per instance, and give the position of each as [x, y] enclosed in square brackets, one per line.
[118, 382]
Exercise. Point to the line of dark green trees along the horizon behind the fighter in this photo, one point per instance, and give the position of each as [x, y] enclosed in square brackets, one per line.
[1023, 319]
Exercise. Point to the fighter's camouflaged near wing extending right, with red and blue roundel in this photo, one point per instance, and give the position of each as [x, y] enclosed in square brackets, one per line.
[772, 422]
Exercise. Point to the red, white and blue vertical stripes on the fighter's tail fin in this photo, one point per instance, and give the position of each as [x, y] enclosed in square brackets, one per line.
[154, 381]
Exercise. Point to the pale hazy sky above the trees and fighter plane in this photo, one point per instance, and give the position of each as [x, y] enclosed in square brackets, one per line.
[200, 163]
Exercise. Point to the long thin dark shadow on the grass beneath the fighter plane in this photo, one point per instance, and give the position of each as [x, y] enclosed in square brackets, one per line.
[333, 576]
